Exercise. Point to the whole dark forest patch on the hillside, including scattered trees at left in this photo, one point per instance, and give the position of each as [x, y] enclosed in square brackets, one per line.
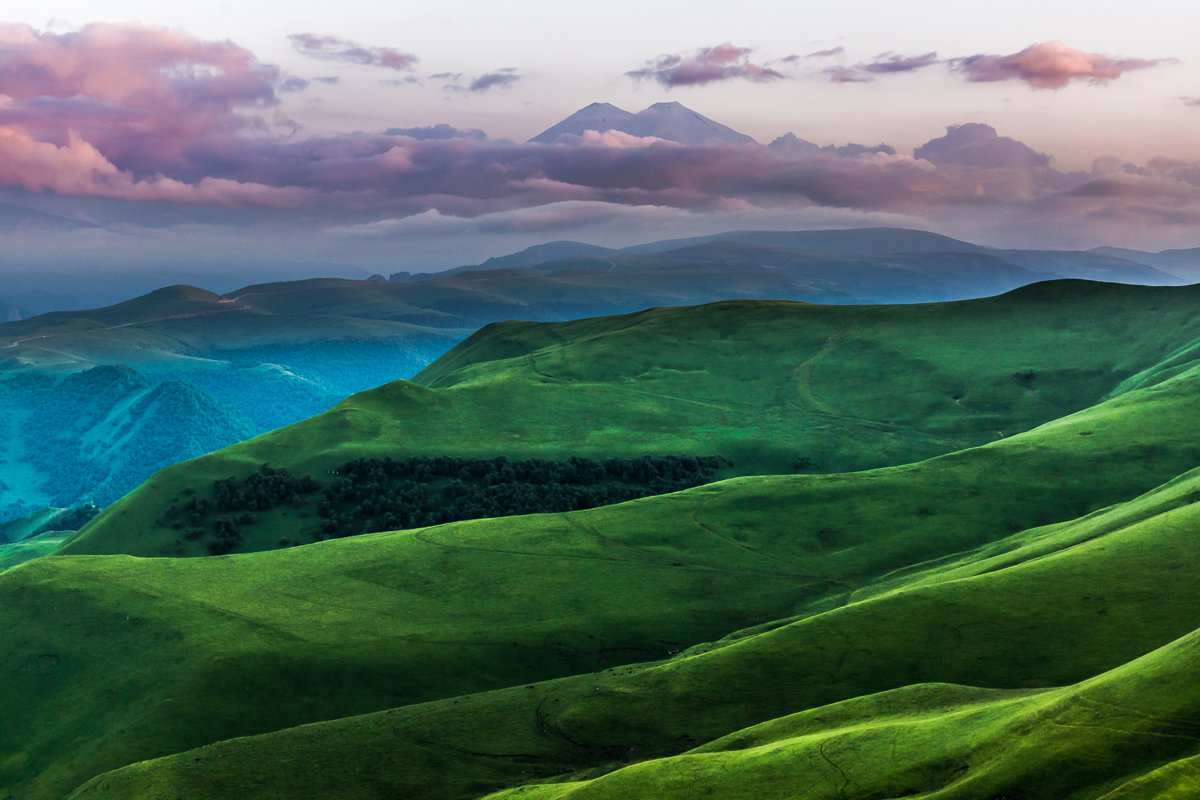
[374, 495]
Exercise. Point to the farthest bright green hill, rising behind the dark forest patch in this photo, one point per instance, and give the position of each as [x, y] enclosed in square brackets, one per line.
[766, 384]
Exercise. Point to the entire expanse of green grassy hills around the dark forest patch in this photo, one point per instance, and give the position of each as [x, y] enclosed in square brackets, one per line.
[988, 592]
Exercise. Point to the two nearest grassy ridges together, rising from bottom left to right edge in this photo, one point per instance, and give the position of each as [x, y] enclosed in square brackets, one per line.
[796, 711]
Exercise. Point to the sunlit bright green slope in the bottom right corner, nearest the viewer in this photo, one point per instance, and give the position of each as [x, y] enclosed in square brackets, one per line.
[1107, 736]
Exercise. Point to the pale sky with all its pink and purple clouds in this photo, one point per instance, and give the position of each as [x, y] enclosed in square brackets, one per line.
[385, 137]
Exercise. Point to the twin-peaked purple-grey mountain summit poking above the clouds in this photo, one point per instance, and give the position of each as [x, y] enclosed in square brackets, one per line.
[673, 122]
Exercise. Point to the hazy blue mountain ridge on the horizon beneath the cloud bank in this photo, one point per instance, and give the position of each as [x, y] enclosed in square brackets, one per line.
[866, 264]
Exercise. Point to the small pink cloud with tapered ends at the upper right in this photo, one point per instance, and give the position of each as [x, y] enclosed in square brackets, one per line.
[1051, 65]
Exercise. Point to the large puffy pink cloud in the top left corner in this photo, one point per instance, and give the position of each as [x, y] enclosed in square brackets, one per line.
[141, 95]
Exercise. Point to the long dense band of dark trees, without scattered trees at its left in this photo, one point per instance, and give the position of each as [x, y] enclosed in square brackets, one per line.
[388, 495]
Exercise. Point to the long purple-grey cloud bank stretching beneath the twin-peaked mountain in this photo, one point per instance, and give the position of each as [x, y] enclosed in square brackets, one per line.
[971, 173]
